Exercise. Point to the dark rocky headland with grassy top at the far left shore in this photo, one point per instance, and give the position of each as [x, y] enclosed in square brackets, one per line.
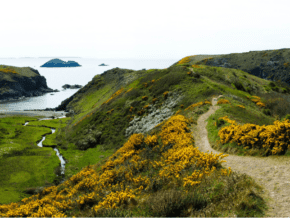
[18, 82]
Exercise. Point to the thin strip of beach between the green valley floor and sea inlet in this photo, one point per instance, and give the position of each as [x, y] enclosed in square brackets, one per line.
[32, 113]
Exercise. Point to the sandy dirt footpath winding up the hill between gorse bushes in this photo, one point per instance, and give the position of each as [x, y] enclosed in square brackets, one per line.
[272, 173]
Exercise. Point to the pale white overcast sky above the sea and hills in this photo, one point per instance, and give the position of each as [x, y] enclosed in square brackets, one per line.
[151, 29]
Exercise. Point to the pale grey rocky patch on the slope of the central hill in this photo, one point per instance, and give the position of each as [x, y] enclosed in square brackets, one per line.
[155, 116]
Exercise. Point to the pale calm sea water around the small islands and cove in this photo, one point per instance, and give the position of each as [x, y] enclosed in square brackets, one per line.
[57, 77]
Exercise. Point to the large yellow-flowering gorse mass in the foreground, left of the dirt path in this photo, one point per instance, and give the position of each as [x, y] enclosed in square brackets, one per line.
[119, 178]
